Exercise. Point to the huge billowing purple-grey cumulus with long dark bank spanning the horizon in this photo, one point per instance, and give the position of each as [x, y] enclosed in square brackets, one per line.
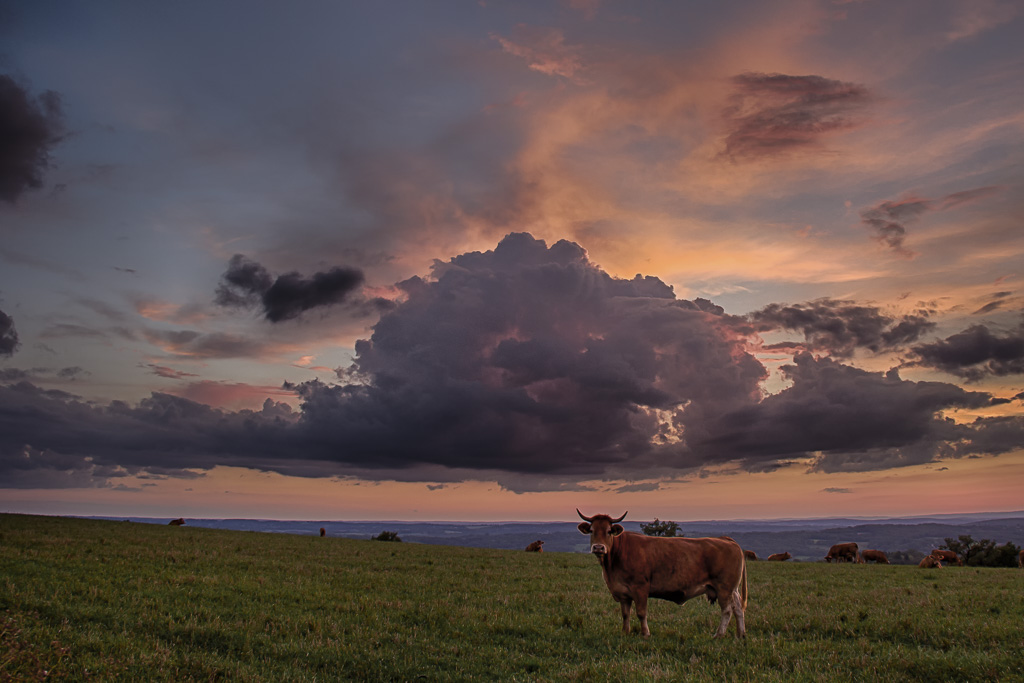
[532, 366]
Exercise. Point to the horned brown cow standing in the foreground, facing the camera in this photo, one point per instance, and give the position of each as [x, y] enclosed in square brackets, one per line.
[638, 567]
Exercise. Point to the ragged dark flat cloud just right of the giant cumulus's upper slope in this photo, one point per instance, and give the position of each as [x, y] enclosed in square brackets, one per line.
[839, 327]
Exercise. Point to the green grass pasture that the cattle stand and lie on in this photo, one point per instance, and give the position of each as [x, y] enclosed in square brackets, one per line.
[100, 601]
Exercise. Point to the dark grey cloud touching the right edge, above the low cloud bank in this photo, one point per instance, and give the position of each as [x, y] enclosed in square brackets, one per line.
[975, 354]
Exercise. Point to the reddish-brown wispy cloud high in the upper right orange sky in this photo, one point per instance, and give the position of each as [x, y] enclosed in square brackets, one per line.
[773, 114]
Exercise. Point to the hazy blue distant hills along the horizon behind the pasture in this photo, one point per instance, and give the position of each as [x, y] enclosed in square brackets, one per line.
[806, 540]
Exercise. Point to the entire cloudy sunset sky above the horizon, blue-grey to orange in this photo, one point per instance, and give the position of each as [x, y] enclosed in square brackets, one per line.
[501, 261]
